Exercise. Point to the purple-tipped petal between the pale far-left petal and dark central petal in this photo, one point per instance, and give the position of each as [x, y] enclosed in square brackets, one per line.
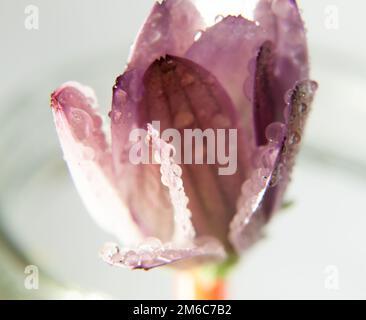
[146, 197]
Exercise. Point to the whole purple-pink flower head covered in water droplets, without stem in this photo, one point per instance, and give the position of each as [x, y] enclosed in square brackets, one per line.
[251, 76]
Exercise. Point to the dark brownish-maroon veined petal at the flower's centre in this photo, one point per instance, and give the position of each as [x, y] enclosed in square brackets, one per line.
[182, 95]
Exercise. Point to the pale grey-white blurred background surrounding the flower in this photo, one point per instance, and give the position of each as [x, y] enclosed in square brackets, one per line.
[314, 249]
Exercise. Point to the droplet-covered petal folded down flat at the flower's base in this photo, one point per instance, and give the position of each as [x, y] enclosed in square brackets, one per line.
[152, 253]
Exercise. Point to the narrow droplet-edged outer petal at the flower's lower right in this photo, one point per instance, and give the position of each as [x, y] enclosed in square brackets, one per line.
[263, 193]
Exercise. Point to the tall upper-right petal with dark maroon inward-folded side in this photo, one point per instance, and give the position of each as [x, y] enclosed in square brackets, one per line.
[281, 62]
